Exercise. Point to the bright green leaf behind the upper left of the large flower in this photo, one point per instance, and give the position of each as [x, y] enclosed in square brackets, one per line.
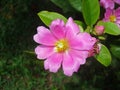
[48, 17]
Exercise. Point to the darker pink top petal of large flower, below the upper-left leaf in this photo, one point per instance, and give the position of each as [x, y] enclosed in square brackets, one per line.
[58, 29]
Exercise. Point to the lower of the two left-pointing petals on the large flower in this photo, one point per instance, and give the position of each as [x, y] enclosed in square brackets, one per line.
[43, 52]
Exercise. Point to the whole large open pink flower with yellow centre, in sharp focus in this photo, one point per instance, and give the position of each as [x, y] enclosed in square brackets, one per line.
[63, 45]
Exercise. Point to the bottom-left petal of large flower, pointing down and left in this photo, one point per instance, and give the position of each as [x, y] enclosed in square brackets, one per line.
[53, 63]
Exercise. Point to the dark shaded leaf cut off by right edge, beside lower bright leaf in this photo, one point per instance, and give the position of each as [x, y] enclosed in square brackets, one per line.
[115, 49]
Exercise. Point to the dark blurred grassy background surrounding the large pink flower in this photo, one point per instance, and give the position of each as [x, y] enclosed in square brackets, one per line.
[20, 70]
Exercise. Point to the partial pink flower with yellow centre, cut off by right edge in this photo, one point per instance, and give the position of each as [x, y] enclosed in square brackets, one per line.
[112, 16]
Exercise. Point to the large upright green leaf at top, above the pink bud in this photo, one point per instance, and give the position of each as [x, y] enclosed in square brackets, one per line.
[91, 11]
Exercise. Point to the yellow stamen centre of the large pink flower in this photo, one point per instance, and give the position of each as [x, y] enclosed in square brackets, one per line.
[61, 45]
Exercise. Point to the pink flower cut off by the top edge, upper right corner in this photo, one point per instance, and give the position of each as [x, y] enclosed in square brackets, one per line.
[109, 3]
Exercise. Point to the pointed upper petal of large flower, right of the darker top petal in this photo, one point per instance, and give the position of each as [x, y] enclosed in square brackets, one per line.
[73, 26]
